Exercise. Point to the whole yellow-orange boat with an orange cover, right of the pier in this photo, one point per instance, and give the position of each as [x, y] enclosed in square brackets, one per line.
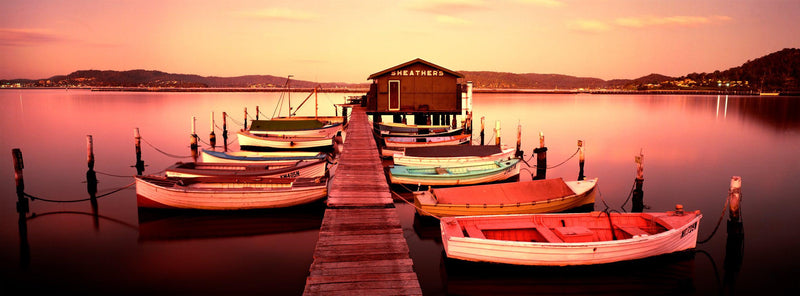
[527, 197]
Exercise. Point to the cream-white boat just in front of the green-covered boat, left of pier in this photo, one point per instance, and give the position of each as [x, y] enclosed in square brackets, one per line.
[248, 141]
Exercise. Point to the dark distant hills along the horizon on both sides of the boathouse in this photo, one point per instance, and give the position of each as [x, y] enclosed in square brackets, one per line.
[778, 71]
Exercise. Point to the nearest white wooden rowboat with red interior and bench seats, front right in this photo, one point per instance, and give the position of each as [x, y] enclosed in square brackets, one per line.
[482, 244]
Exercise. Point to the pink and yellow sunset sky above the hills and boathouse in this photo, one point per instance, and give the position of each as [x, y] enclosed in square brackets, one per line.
[346, 41]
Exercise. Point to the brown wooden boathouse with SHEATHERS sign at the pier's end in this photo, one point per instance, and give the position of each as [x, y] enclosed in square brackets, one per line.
[429, 92]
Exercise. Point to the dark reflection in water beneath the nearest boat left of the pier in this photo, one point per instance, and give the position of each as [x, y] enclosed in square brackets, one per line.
[159, 224]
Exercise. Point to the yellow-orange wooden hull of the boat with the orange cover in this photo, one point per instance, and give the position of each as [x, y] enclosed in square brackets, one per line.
[427, 204]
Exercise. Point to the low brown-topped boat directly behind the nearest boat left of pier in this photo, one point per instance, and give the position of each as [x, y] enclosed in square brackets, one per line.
[294, 169]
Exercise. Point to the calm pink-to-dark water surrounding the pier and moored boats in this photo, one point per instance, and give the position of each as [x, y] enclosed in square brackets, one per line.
[692, 146]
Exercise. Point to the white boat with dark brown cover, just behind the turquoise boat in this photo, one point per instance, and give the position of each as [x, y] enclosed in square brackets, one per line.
[451, 155]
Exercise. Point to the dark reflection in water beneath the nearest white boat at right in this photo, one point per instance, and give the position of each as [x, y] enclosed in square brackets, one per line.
[670, 274]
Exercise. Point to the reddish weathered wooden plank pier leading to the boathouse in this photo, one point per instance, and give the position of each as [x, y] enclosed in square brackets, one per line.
[361, 249]
